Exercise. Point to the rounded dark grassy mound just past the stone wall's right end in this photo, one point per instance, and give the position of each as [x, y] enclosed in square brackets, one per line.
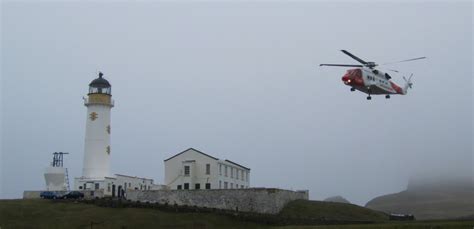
[331, 211]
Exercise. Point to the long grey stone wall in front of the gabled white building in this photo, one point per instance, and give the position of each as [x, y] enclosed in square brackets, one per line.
[260, 200]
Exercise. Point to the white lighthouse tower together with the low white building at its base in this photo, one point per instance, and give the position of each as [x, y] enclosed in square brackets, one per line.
[96, 174]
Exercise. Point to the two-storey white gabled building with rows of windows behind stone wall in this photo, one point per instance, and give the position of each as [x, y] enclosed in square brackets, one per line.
[193, 169]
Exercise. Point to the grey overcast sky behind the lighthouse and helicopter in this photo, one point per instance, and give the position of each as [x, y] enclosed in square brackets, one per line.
[240, 81]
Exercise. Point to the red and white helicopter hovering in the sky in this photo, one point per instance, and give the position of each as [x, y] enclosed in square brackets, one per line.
[371, 81]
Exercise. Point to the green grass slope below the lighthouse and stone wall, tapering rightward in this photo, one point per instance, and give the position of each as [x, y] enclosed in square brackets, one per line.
[50, 214]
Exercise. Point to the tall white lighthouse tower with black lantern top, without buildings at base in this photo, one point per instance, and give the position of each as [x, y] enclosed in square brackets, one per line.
[97, 150]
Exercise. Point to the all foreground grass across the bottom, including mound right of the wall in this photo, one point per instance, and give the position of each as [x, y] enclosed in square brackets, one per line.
[59, 214]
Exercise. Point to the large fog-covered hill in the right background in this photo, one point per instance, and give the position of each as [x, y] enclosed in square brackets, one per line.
[429, 201]
